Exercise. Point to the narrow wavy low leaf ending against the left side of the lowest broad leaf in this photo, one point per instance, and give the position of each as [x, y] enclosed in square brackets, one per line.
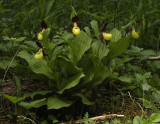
[34, 104]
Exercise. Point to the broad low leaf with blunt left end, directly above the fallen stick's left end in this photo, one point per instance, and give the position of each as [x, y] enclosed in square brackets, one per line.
[56, 102]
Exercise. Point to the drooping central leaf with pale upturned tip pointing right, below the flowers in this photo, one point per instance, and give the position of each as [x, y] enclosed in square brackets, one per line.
[70, 82]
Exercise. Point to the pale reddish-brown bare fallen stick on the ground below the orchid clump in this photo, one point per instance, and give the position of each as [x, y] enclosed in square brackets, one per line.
[97, 118]
